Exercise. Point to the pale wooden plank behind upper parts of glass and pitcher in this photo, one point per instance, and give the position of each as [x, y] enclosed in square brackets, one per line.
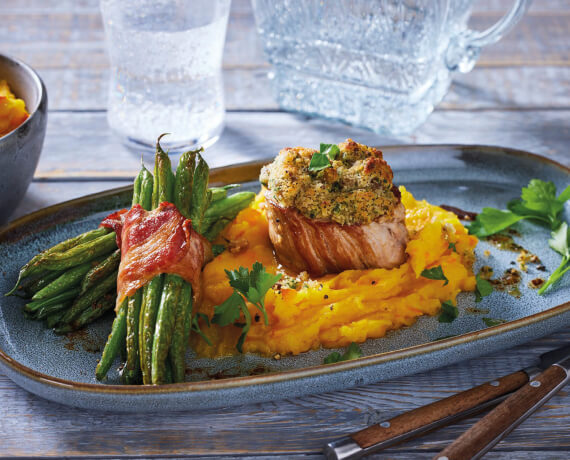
[61, 39]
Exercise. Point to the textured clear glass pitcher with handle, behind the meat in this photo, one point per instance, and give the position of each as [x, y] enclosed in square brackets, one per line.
[380, 64]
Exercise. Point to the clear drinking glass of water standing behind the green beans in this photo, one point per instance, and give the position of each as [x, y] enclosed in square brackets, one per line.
[165, 74]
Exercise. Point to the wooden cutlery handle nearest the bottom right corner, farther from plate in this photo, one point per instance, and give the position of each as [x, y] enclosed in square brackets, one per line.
[488, 431]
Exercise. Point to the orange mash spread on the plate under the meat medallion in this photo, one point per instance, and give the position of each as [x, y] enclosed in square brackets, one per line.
[351, 306]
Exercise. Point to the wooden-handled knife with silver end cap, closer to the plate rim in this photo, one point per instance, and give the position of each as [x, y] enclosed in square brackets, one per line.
[437, 414]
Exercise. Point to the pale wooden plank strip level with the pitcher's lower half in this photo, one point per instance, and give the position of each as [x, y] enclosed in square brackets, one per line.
[250, 89]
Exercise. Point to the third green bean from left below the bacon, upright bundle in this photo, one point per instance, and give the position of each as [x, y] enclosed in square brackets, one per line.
[149, 309]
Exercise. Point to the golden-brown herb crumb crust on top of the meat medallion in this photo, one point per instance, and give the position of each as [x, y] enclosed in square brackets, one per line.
[356, 189]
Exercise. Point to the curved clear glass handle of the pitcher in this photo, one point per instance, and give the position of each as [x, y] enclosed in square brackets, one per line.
[464, 49]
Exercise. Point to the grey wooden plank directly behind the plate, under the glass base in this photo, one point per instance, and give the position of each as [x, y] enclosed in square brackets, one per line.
[80, 144]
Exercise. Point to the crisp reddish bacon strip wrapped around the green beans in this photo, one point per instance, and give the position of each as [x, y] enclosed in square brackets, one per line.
[155, 242]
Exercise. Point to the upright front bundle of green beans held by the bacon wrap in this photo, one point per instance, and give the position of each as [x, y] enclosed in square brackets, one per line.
[154, 324]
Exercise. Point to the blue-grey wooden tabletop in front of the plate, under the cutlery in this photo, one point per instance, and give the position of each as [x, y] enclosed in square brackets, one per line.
[289, 427]
